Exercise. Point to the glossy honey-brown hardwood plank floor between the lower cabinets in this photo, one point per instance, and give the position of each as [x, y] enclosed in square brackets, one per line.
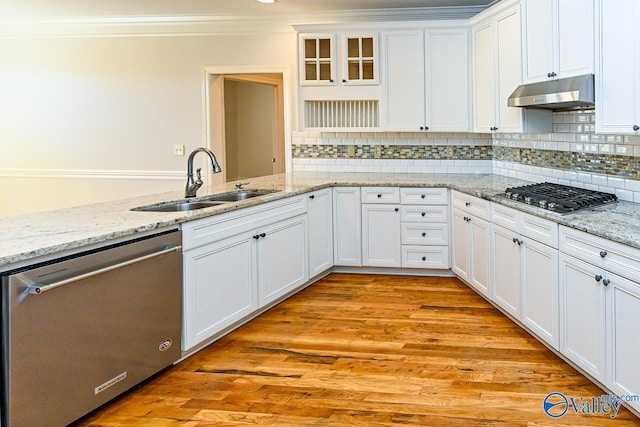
[365, 350]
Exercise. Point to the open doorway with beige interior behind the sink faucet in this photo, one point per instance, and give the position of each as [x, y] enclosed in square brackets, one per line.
[245, 117]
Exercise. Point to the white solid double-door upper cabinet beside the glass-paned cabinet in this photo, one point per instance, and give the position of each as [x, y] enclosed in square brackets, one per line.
[426, 80]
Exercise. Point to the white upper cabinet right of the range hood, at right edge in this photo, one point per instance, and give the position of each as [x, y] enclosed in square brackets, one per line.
[618, 77]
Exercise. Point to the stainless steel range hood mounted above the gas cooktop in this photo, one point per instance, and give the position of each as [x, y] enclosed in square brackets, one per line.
[571, 92]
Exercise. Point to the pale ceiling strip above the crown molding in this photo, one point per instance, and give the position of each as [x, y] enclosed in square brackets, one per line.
[291, 10]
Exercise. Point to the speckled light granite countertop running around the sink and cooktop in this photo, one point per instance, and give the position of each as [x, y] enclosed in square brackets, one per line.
[25, 238]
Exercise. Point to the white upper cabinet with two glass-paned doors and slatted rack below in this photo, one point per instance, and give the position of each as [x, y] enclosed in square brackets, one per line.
[339, 79]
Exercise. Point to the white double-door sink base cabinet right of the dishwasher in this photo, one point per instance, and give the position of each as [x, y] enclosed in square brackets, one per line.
[237, 262]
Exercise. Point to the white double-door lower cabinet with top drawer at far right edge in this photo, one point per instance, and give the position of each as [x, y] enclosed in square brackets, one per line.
[600, 309]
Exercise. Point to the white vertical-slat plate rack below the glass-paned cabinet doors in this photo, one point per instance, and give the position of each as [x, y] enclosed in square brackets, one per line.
[341, 114]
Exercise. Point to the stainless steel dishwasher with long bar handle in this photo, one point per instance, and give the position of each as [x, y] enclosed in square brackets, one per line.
[78, 331]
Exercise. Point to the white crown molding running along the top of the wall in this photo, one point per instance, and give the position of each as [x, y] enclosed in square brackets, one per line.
[194, 25]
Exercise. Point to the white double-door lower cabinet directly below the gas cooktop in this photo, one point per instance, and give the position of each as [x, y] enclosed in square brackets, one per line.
[525, 271]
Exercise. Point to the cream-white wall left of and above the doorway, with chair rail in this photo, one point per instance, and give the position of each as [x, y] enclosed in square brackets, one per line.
[71, 105]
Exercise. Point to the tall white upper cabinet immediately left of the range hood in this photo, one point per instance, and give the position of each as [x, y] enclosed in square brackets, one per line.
[496, 55]
